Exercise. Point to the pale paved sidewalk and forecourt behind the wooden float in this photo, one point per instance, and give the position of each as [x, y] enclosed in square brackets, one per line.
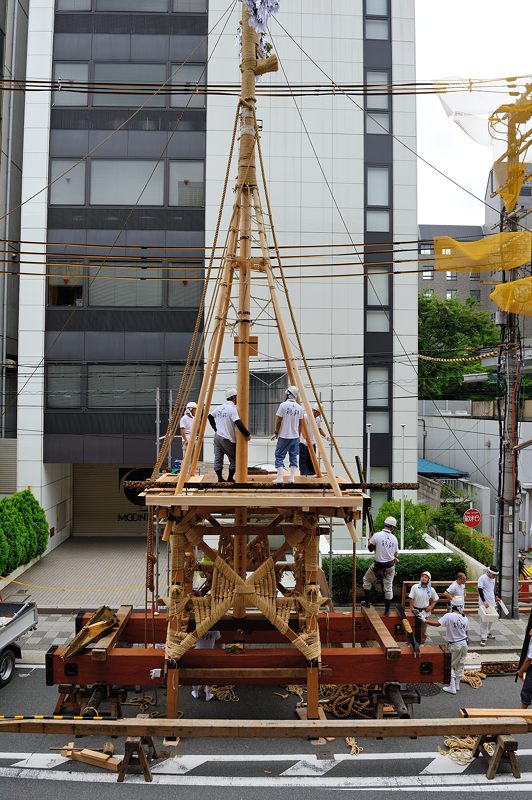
[89, 572]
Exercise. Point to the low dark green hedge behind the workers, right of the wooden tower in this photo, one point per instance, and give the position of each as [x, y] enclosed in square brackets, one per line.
[442, 566]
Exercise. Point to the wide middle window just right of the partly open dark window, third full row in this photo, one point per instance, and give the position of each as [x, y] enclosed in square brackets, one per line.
[112, 284]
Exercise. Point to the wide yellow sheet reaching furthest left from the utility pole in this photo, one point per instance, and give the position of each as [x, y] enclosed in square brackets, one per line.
[499, 251]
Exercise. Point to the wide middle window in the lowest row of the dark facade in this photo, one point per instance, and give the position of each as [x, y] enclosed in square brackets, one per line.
[122, 385]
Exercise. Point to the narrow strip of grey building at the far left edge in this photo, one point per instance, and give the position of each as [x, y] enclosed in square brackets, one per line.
[13, 40]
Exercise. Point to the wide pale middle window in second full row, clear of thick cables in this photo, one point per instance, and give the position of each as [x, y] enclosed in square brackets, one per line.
[126, 182]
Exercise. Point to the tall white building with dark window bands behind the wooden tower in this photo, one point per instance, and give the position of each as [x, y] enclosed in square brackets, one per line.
[125, 177]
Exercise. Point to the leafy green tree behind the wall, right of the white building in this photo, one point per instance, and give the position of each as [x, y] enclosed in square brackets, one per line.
[453, 329]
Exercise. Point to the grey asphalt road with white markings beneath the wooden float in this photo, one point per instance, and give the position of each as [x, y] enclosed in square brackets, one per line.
[233, 769]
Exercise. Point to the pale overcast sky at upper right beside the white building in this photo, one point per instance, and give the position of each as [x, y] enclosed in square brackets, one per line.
[470, 39]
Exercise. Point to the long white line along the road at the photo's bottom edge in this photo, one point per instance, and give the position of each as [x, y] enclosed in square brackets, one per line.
[434, 783]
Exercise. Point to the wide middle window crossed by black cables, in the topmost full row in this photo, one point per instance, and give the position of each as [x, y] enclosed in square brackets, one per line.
[154, 75]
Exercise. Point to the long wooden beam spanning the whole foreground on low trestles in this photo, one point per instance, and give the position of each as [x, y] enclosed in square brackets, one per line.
[268, 728]
